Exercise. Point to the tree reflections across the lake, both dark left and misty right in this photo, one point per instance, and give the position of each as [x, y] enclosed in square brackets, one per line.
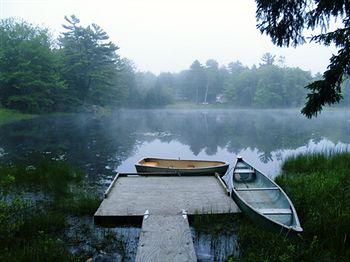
[95, 143]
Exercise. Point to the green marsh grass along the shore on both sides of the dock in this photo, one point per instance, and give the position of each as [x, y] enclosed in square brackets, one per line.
[43, 198]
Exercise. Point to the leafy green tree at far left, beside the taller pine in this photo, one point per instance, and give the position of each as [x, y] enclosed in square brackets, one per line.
[28, 71]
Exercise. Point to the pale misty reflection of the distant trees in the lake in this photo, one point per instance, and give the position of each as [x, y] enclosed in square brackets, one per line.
[266, 131]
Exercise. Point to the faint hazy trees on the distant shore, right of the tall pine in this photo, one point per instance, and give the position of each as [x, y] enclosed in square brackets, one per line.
[268, 86]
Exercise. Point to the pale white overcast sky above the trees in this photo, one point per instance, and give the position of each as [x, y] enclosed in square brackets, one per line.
[168, 35]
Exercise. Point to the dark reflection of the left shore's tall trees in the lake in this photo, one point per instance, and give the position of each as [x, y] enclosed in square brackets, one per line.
[89, 143]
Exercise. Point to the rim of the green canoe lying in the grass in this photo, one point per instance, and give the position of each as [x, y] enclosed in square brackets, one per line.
[296, 228]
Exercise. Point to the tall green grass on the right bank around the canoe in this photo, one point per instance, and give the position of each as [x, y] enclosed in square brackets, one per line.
[319, 187]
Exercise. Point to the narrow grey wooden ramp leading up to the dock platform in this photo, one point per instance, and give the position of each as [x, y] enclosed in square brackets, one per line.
[165, 238]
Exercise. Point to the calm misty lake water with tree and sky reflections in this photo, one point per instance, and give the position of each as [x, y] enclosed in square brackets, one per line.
[103, 145]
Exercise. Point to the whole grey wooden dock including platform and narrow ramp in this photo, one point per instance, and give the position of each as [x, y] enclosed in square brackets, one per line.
[162, 203]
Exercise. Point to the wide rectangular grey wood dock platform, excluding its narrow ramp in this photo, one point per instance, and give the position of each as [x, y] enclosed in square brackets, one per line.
[131, 196]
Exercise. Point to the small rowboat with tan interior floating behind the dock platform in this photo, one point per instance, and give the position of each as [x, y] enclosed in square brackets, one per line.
[183, 167]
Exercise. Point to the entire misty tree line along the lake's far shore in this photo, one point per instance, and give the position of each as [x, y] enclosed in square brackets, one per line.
[81, 70]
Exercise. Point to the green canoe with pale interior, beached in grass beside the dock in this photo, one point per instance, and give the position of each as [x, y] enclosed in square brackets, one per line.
[262, 200]
